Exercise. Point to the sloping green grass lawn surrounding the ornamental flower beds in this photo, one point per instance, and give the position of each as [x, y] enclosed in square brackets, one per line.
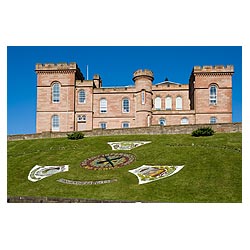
[212, 171]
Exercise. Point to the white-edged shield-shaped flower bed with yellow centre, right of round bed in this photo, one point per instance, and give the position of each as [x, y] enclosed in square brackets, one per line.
[148, 173]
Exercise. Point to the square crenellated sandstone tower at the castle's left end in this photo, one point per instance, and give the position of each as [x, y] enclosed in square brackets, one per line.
[56, 96]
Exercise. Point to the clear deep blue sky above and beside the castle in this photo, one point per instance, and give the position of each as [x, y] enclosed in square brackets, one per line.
[116, 65]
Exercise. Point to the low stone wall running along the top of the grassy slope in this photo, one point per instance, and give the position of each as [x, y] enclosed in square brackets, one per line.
[153, 130]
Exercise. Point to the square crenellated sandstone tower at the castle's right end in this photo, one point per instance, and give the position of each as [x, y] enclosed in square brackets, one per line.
[211, 93]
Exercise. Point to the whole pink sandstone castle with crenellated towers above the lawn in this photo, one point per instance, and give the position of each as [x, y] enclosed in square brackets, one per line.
[68, 102]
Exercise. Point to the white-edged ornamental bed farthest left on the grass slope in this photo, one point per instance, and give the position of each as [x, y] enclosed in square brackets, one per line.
[38, 173]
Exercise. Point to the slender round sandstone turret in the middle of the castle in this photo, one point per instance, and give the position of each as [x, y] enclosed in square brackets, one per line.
[143, 97]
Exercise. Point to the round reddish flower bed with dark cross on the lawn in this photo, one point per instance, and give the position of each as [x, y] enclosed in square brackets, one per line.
[108, 161]
